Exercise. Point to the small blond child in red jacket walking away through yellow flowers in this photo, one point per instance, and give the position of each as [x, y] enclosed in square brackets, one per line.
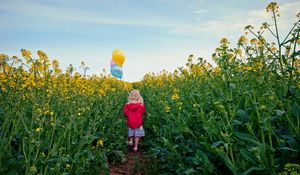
[134, 110]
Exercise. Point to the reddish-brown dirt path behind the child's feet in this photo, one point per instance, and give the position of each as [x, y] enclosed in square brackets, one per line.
[133, 164]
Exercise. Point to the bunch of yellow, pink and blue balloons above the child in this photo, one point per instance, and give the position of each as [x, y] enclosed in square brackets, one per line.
[116, 63]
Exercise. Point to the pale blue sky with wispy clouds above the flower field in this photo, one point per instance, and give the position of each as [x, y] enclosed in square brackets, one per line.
[153, 34]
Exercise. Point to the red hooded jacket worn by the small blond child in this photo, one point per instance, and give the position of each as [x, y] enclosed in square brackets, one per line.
[134, 113]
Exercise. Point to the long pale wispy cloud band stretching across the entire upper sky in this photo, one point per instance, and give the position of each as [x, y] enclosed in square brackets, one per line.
[221, 26]
